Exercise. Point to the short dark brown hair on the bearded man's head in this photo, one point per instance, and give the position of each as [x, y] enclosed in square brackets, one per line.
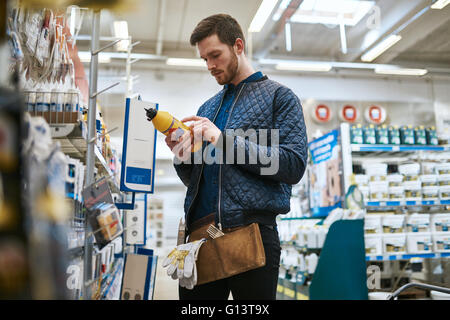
[224, 25]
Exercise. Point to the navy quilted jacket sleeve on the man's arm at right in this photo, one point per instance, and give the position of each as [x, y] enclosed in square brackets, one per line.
[286, 155]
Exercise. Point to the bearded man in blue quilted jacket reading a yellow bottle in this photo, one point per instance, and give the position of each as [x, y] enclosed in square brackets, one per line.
[241, 188]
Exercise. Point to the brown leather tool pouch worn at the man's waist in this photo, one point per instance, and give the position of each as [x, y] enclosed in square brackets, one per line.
[239, 250]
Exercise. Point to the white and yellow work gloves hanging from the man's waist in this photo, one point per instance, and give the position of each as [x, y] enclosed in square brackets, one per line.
[181, 262]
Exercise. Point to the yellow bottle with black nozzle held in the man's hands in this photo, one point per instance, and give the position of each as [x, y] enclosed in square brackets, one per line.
[165, 123]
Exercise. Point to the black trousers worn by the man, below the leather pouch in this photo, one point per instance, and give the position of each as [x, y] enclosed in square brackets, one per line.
[256, 284]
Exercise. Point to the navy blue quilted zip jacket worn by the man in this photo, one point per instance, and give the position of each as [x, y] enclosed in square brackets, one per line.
[245, 195]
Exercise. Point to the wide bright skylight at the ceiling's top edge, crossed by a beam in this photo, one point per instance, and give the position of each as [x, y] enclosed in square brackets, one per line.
[333, 12]
